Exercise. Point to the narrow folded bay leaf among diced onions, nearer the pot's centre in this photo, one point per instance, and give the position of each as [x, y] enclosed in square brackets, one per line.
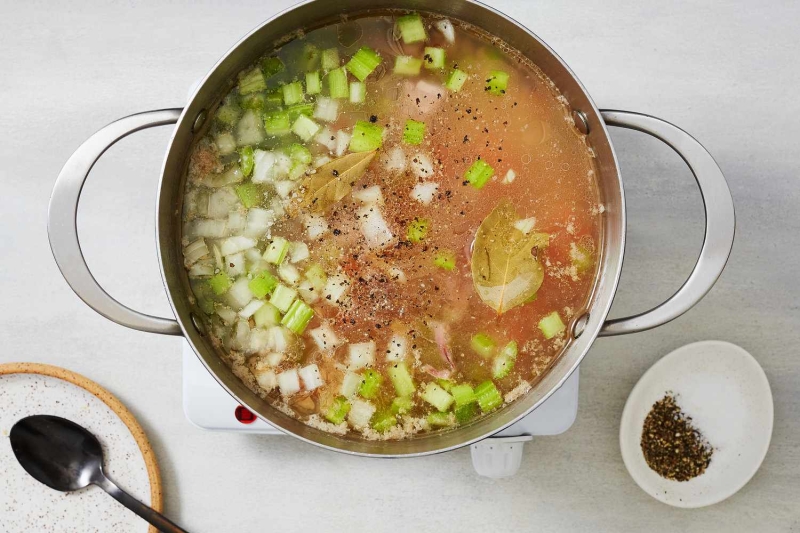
[334, 180]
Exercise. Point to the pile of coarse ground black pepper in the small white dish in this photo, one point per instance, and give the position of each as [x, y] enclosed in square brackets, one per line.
[672, 446]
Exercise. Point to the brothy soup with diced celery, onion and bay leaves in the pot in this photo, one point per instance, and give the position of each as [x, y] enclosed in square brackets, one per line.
[390, 224]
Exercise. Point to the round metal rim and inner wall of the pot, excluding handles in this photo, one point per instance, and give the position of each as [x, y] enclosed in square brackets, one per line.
[321, 12]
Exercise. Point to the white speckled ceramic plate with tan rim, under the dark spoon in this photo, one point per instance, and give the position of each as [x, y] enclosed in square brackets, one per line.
[27, 505]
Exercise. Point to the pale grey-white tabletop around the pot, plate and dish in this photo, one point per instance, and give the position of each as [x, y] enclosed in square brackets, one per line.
[726, 71]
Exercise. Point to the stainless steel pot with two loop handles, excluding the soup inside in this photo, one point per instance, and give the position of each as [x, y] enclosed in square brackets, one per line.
[719, 231]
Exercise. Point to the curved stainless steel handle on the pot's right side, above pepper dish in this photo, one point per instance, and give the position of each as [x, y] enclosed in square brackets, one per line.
[719, 230]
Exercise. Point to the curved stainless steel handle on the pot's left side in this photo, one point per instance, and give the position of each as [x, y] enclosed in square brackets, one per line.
[62, 228]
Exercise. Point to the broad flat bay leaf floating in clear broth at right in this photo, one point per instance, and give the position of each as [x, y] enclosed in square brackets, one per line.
[504, 271]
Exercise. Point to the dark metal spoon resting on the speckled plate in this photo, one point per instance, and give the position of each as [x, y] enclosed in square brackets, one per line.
[66, 457]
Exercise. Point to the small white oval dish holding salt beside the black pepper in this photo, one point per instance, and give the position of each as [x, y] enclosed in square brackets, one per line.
[725, 391]
